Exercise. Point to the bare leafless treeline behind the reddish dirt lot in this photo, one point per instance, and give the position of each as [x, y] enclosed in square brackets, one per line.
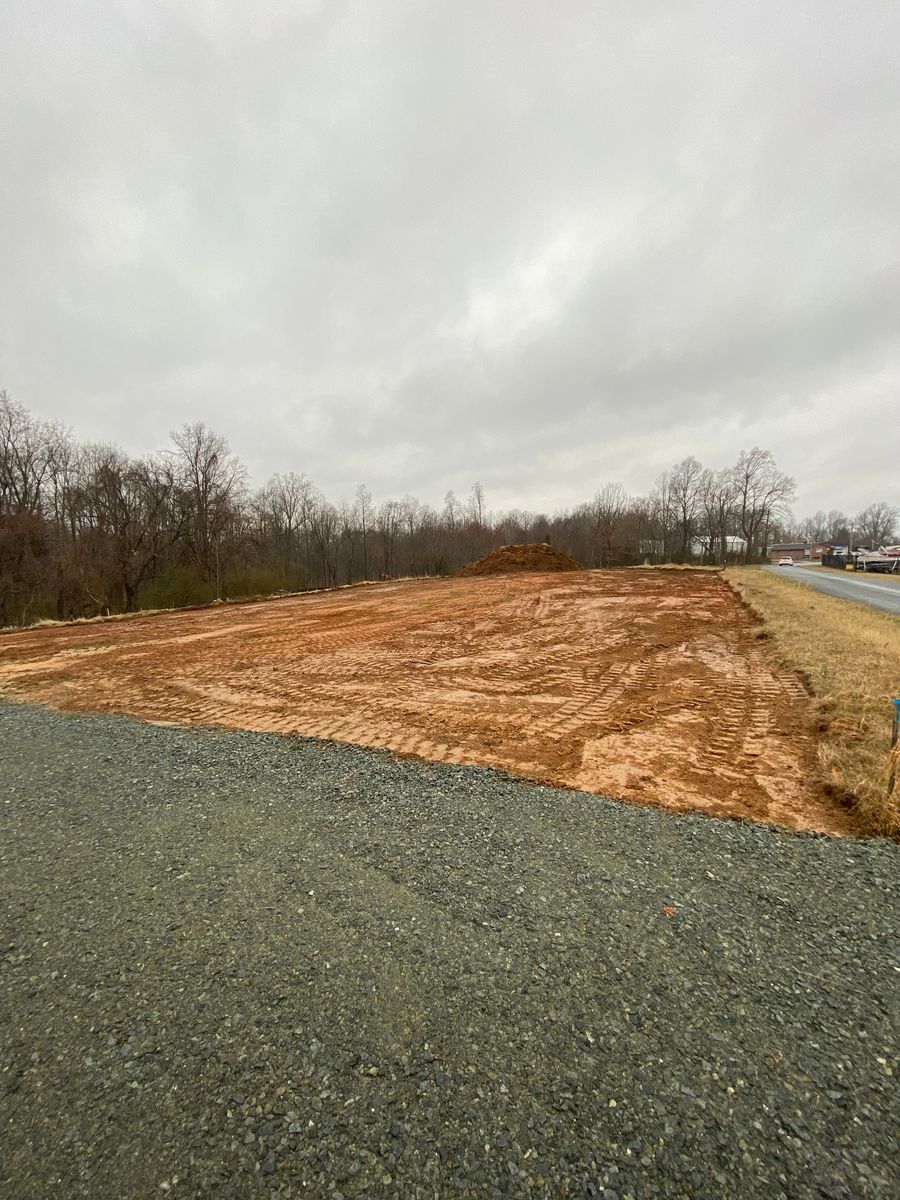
[87, 530]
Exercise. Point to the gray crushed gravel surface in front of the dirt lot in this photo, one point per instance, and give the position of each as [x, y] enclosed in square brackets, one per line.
[237, 965]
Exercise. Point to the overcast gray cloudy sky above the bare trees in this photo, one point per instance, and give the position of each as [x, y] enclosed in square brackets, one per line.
[417, 243]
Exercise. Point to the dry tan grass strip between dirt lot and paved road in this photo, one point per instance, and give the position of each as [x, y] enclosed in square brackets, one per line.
[850, 657]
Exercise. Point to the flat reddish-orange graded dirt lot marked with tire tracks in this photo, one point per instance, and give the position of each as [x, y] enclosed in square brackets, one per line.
[646, 686]
